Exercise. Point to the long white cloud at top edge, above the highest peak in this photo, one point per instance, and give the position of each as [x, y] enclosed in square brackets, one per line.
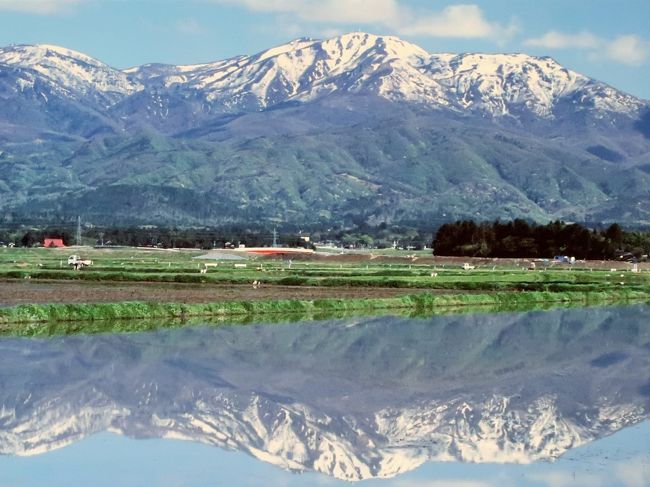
[459, 21]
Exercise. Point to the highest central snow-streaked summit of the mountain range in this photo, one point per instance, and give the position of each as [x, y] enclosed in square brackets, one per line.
[305, 69]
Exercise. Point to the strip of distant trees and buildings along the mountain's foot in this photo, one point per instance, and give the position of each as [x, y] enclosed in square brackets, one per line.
[556, 240]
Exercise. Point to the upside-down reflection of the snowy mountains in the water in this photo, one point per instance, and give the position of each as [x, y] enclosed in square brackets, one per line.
[354, 399]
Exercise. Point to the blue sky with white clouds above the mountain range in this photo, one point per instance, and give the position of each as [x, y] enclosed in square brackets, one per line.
[606, 39]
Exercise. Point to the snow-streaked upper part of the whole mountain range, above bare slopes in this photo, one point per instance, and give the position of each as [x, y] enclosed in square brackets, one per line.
[306, 69]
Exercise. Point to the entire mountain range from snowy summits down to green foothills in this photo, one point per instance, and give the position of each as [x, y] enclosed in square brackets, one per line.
[351, 128]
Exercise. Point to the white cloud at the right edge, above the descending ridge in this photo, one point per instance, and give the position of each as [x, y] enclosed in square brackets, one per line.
[626, 49]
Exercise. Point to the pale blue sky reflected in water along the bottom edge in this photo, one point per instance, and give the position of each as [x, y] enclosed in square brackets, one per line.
[620, 460]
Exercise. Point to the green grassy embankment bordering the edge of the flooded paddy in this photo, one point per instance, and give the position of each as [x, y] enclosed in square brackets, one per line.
[29, 320]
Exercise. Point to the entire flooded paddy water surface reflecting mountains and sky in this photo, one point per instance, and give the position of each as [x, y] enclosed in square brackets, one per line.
[539, 398]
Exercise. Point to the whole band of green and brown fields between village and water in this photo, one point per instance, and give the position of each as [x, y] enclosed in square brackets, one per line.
[38, 285]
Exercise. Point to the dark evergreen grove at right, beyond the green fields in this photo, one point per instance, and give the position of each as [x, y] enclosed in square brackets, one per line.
[522, 239]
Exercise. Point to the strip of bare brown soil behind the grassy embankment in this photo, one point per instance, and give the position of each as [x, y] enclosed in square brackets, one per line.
[40, 292]
